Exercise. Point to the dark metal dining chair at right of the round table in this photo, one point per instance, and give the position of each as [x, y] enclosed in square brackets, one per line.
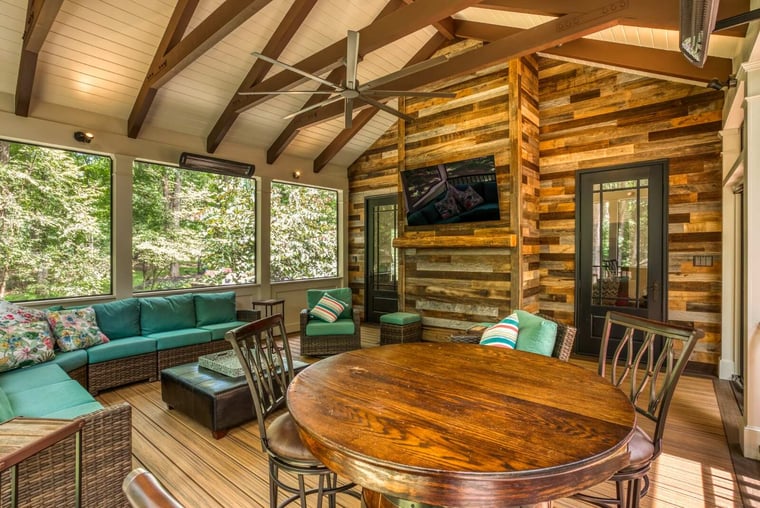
[649, 378]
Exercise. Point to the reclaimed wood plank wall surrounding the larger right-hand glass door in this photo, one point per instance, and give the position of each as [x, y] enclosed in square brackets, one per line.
[593, 118]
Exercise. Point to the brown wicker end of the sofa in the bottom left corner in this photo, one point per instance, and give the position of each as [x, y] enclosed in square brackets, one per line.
[47, 478]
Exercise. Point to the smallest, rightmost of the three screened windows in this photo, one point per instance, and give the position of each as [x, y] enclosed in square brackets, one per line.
[304, 232]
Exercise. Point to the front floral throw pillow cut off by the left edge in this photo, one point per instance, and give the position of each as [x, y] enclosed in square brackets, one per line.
[24, 344]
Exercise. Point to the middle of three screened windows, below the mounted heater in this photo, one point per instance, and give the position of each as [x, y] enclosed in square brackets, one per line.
[191, 229]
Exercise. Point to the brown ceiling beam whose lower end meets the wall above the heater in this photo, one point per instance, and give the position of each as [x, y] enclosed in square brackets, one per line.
[287, 28]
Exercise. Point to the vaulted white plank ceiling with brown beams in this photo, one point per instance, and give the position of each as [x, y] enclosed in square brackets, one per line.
[96, 56]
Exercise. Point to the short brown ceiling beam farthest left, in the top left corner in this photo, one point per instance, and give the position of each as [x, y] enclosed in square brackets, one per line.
[40, 15]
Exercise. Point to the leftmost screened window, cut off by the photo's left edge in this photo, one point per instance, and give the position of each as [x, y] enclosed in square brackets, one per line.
[55, 223]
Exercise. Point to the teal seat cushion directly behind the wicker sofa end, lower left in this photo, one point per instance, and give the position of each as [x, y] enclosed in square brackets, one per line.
[44, 400]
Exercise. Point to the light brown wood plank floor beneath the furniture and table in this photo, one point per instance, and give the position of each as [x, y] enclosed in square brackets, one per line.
[695, 469]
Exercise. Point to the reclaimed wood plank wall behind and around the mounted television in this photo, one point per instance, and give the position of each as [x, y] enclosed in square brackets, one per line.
[454, 275]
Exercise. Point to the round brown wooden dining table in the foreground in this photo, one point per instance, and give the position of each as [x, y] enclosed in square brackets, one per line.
[461, 425]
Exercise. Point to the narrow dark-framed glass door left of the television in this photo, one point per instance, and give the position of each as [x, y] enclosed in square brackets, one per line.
[381, 293]
